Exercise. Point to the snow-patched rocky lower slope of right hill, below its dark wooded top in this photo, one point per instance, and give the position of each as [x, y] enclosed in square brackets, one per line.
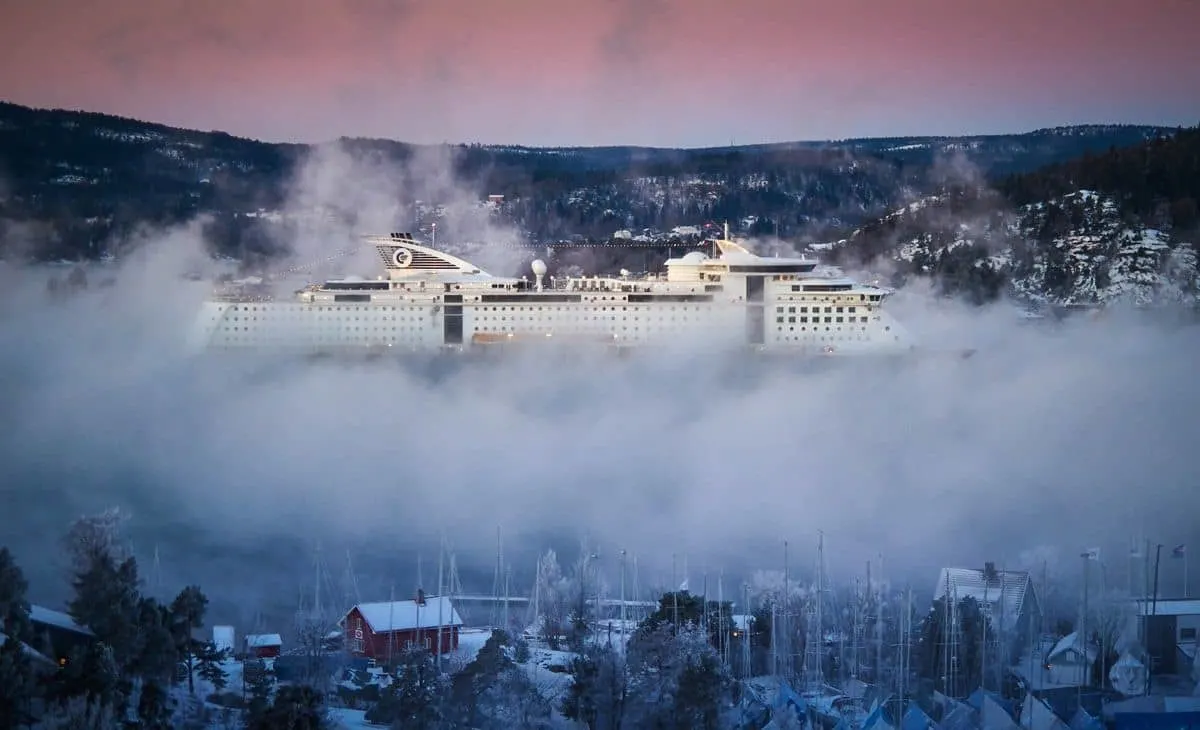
[1077, 249]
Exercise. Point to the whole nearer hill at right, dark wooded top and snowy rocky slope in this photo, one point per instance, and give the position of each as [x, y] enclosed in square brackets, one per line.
[1115, 226]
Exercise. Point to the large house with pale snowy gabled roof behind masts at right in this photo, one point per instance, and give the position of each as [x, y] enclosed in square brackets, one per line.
[1007, 597]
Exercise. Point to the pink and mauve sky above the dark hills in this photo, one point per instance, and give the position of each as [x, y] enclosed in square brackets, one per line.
[656, 73]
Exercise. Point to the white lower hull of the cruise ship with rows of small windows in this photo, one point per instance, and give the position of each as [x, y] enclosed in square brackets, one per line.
[424, 327]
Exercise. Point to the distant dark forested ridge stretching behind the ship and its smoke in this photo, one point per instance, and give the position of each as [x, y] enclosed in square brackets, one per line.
[77, 182]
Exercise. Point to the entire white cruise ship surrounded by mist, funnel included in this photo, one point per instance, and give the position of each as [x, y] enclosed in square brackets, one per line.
[428, 301]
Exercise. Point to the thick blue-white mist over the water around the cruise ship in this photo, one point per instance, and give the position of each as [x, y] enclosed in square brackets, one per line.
[1053, 439]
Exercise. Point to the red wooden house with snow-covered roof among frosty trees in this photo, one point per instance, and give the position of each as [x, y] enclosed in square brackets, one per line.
[383, 631]
